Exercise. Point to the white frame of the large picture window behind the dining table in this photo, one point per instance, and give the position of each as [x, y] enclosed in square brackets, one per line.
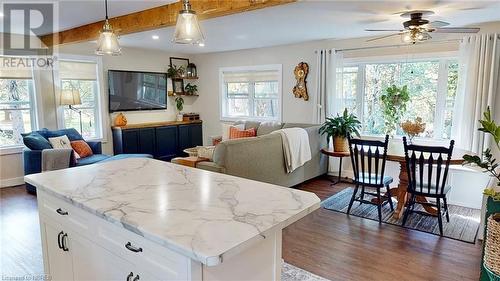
[442, 86]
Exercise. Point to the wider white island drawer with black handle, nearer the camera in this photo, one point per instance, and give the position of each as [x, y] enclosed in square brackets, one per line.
[146, 255]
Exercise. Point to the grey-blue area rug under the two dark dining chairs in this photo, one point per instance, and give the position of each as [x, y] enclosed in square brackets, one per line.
[463, 225]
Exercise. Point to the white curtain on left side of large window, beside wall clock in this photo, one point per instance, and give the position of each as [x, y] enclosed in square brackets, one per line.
[329, 64]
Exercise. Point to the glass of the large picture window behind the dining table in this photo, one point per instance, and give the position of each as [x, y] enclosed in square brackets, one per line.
[432, 84]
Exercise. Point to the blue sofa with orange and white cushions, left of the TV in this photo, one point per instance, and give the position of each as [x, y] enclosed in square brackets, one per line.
[37, 141]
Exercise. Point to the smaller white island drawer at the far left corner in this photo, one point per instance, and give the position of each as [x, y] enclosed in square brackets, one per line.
[63, 212]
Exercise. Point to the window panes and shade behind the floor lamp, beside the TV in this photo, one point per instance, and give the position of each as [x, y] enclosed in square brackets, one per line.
[82, 77]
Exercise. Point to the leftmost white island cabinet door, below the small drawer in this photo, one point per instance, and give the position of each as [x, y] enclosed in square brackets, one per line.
[59, 261]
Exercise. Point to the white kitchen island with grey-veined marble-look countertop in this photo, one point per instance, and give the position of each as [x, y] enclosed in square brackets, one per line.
[144, 219]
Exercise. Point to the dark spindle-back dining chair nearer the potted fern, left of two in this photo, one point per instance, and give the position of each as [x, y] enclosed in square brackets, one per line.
[368, 159]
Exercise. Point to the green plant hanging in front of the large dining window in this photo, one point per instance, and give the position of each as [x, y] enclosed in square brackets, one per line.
[393, 103]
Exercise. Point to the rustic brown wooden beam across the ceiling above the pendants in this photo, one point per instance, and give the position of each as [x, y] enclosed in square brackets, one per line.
[158, 17]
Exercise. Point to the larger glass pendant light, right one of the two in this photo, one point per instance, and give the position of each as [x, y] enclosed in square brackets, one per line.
[187, 28]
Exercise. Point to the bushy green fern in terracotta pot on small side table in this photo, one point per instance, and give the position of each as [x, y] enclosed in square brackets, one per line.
[341, 127]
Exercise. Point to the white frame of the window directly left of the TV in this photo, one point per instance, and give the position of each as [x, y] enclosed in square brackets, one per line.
[101, 122]
